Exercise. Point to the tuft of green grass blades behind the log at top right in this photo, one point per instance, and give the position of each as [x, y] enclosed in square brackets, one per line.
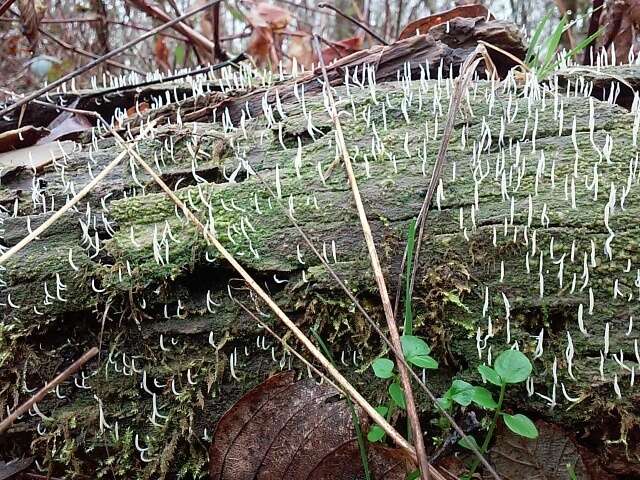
[542, 56]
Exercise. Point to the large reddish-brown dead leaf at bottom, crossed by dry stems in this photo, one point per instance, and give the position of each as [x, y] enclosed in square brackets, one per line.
[294, 430]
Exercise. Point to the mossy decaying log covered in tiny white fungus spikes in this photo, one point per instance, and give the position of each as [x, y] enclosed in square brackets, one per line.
[512, 168]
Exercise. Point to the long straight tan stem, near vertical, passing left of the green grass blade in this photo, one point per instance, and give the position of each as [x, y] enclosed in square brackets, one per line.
[412, 411]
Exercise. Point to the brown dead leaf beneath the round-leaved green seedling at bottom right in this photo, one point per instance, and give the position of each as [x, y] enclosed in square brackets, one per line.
[545, 458]
